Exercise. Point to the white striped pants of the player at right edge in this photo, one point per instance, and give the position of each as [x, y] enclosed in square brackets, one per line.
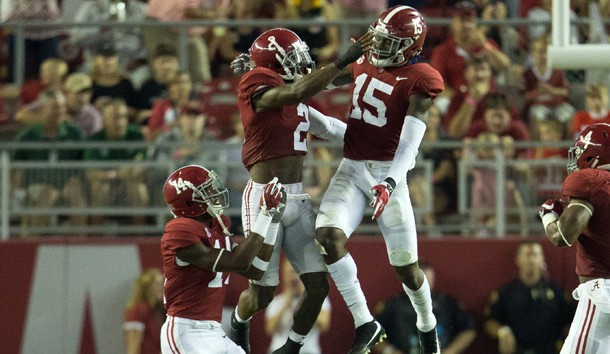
[590, 329]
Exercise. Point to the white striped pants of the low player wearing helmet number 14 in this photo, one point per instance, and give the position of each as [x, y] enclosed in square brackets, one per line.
[185, 336]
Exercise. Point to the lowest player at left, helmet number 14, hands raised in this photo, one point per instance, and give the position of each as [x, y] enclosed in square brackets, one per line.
[197, 254]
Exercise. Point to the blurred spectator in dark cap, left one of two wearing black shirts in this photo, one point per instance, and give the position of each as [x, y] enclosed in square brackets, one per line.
[108, 80]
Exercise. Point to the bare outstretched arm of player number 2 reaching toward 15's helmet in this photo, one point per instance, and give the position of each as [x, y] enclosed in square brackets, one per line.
[315, 82]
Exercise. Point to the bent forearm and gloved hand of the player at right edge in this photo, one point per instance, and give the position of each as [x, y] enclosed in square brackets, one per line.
[563, 226]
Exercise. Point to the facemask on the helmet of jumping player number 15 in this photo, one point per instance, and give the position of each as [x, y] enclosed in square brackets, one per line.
[388, 50]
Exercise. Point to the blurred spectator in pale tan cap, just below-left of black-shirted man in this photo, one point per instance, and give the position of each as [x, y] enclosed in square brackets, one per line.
[83, 114]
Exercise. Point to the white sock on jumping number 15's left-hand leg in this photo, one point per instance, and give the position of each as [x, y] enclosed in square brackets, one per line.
[345, 275]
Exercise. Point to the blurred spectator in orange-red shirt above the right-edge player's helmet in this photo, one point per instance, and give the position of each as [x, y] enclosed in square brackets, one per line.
[596, 104]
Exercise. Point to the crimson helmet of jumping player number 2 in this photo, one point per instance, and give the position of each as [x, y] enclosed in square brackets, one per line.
[282, 51]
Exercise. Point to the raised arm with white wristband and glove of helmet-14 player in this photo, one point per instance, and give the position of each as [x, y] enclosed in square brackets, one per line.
[273, 203]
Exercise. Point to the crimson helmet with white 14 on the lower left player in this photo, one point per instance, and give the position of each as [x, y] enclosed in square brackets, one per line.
[194, 190]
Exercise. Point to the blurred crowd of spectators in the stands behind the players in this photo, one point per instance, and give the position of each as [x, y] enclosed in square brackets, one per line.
[126, 83]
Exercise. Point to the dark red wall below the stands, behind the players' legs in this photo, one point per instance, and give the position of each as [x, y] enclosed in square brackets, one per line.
[467, 269]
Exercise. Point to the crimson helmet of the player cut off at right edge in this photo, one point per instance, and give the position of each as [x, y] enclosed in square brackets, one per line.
[591, 149]
